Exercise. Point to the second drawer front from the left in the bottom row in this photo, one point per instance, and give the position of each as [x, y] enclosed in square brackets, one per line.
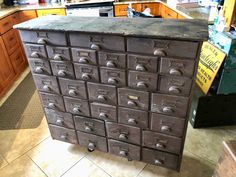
[92, 142]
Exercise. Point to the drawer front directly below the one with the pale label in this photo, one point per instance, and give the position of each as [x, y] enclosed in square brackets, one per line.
[133, 117]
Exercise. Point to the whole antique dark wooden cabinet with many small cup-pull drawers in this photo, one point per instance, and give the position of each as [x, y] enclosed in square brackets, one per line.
[116, 88]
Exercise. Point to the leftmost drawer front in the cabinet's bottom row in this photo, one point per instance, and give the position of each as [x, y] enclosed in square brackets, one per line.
[63, 134]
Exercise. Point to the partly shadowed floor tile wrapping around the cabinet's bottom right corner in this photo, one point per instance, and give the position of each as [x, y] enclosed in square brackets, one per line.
[192, 166]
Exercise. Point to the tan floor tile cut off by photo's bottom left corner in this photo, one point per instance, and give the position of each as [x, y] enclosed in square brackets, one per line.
[22, 167]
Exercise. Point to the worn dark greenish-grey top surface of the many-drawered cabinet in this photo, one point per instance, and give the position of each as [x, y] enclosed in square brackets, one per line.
[189, 29]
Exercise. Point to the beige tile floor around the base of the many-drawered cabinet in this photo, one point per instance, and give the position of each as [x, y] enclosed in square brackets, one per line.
[32, 153]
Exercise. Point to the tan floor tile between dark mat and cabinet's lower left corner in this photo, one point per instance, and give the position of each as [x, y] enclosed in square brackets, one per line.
[14, 143]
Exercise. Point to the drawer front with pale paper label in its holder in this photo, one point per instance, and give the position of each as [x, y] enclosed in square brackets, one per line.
[133, 98]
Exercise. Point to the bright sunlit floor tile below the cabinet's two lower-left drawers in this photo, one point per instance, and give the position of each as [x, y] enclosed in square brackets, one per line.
[56, 157]
